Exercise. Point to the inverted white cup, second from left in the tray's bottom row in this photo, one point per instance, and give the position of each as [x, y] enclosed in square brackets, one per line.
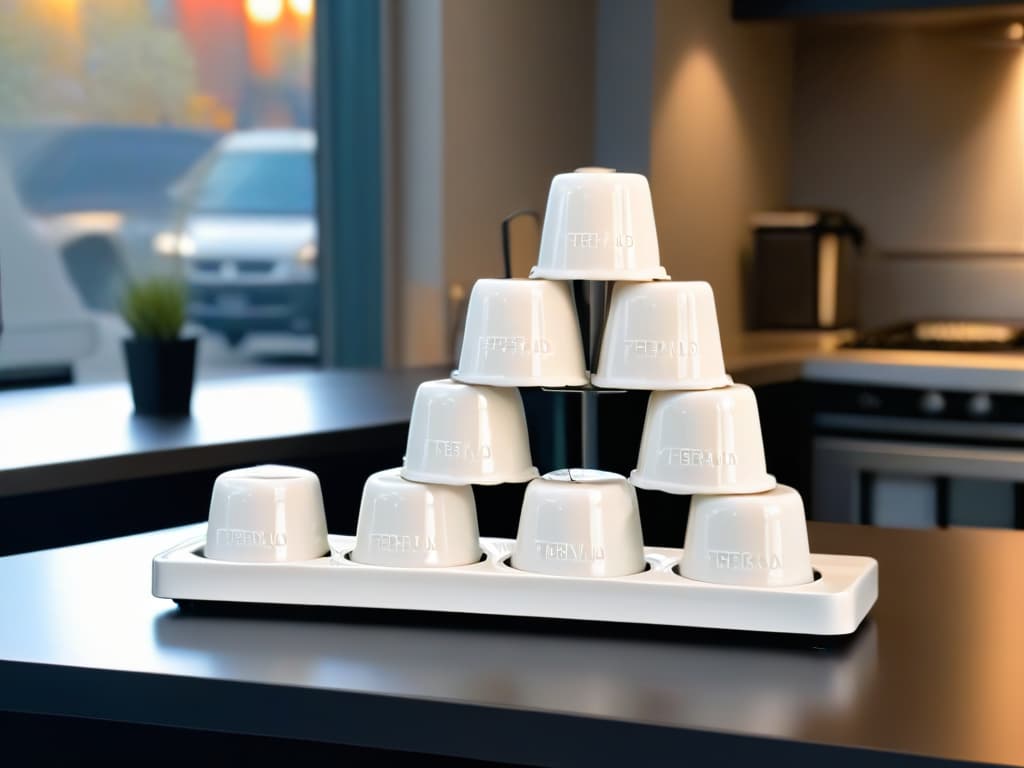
[414, 525]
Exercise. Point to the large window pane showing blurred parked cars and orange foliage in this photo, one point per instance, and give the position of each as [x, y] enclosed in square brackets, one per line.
[157, 137]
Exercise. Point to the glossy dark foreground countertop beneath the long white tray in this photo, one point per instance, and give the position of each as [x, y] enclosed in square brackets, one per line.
[936, 672]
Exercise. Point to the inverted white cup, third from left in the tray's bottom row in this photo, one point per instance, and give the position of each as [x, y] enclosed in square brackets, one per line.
[580, 523]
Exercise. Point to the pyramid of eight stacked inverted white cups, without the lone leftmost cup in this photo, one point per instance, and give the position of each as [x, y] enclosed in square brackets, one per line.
[702, 436]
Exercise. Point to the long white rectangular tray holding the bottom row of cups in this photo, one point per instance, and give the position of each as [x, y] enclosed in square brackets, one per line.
[834, 605]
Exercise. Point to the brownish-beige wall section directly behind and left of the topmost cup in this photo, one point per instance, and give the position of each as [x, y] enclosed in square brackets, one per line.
[520, 106]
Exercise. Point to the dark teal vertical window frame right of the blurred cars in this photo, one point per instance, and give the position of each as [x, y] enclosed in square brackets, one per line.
[350, 182]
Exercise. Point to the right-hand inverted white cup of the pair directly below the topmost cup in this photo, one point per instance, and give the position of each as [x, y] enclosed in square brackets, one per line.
[662, 336]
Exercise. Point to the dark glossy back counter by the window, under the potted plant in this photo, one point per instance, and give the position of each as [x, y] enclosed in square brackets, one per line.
[60, 438]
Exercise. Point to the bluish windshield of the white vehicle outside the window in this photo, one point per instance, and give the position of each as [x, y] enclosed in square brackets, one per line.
[259, 183]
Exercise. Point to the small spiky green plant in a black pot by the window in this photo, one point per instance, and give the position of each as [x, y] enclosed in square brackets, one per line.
[161, 364]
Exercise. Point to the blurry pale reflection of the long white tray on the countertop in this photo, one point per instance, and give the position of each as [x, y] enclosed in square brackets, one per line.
[705, 678]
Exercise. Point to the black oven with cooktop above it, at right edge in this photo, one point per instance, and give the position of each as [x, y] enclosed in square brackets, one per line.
[898, 451]
